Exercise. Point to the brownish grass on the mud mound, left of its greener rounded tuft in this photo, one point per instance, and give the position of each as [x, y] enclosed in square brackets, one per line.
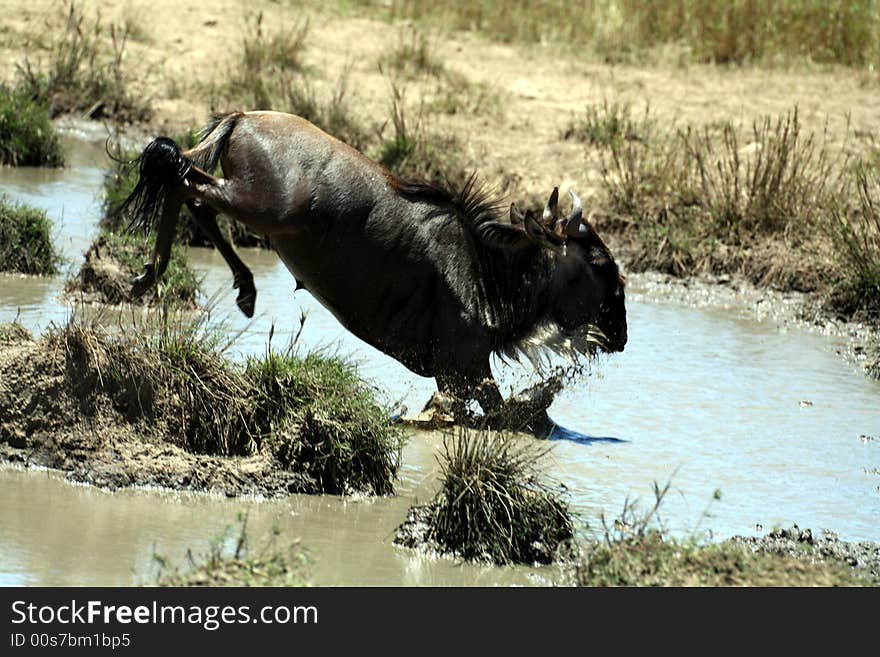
[175, 379]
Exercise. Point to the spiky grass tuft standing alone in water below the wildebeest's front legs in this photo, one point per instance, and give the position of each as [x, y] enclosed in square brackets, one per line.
[493, 505]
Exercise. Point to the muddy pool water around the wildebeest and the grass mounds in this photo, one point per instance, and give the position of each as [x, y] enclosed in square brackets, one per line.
[766, 413]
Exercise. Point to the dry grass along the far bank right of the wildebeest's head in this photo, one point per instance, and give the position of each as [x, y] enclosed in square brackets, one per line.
[771, 203]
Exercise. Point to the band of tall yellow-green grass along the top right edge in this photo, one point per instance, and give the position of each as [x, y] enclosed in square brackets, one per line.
[737, 32]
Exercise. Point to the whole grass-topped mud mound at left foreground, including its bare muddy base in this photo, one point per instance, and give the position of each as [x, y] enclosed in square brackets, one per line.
[116, 411]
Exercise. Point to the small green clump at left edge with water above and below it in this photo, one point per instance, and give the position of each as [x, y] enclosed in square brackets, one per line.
[26, 240]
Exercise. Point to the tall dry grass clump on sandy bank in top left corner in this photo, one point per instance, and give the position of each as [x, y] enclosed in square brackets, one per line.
[85, 72]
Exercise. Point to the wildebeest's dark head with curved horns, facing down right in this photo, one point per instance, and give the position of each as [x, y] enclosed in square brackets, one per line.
[590, 307]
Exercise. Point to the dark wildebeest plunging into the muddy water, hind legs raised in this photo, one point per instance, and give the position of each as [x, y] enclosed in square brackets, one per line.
[437, 278]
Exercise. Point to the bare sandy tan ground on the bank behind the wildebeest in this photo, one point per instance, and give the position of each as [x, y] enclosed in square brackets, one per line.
[178, 49]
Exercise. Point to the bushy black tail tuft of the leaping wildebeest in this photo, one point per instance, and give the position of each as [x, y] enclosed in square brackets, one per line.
[161, 168]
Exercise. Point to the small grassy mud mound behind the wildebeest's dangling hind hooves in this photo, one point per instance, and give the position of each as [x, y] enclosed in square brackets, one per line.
[114, 260]
